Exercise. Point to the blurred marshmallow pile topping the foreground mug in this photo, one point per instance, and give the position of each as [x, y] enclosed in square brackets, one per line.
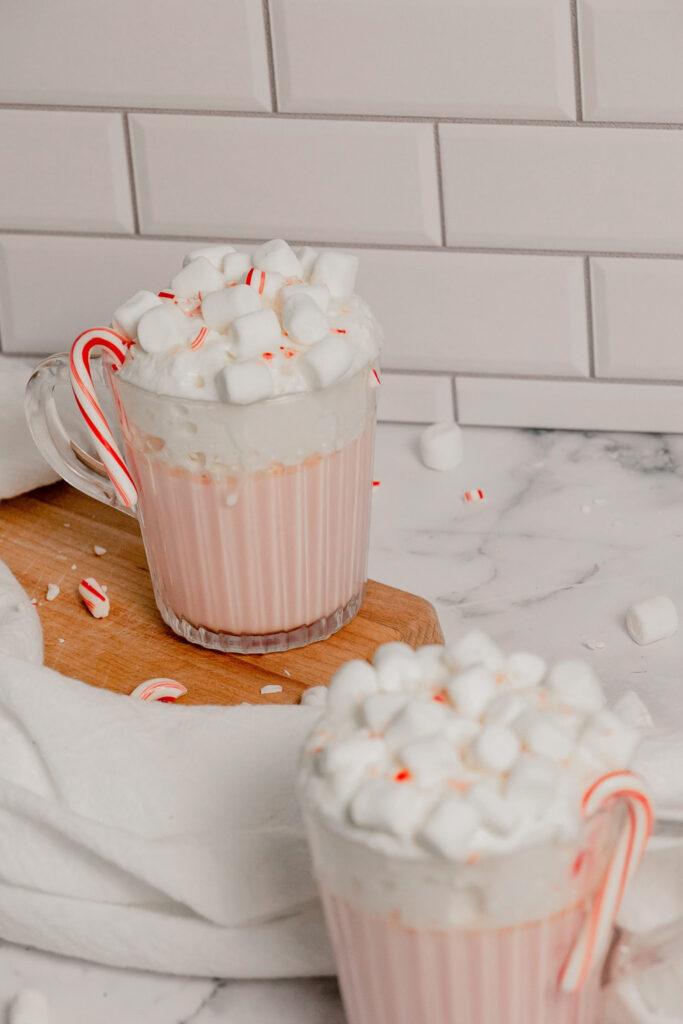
[462, 751]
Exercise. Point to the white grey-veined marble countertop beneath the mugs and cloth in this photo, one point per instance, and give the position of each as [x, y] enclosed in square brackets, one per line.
[574, 528]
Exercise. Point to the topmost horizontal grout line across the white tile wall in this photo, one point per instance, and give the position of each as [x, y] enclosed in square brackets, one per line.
[316, 116]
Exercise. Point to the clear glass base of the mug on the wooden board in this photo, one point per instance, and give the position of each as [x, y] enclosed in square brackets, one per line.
[267, 644]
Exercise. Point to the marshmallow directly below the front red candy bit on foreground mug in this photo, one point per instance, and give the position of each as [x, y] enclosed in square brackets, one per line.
[397, 808]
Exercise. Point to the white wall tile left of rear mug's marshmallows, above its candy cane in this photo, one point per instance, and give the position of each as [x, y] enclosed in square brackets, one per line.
[53, 288]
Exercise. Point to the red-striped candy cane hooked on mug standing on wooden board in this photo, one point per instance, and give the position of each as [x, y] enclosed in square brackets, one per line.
[87, 399]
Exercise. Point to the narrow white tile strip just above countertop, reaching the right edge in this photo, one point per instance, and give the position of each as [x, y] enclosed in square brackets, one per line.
[570, 406]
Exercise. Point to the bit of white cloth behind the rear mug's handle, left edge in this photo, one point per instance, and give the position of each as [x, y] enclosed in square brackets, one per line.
[22, 466]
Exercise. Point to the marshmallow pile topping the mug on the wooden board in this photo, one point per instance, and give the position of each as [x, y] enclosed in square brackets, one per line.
[242, 328]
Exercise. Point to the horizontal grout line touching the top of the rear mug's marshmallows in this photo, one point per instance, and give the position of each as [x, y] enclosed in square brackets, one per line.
[377, 246]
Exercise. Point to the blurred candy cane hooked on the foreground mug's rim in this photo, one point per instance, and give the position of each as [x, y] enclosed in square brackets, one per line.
[596, 932]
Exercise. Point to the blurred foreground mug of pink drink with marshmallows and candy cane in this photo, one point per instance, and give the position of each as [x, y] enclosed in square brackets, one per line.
[473, 831]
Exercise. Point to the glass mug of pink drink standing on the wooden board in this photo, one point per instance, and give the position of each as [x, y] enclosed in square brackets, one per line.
[254, 508]
